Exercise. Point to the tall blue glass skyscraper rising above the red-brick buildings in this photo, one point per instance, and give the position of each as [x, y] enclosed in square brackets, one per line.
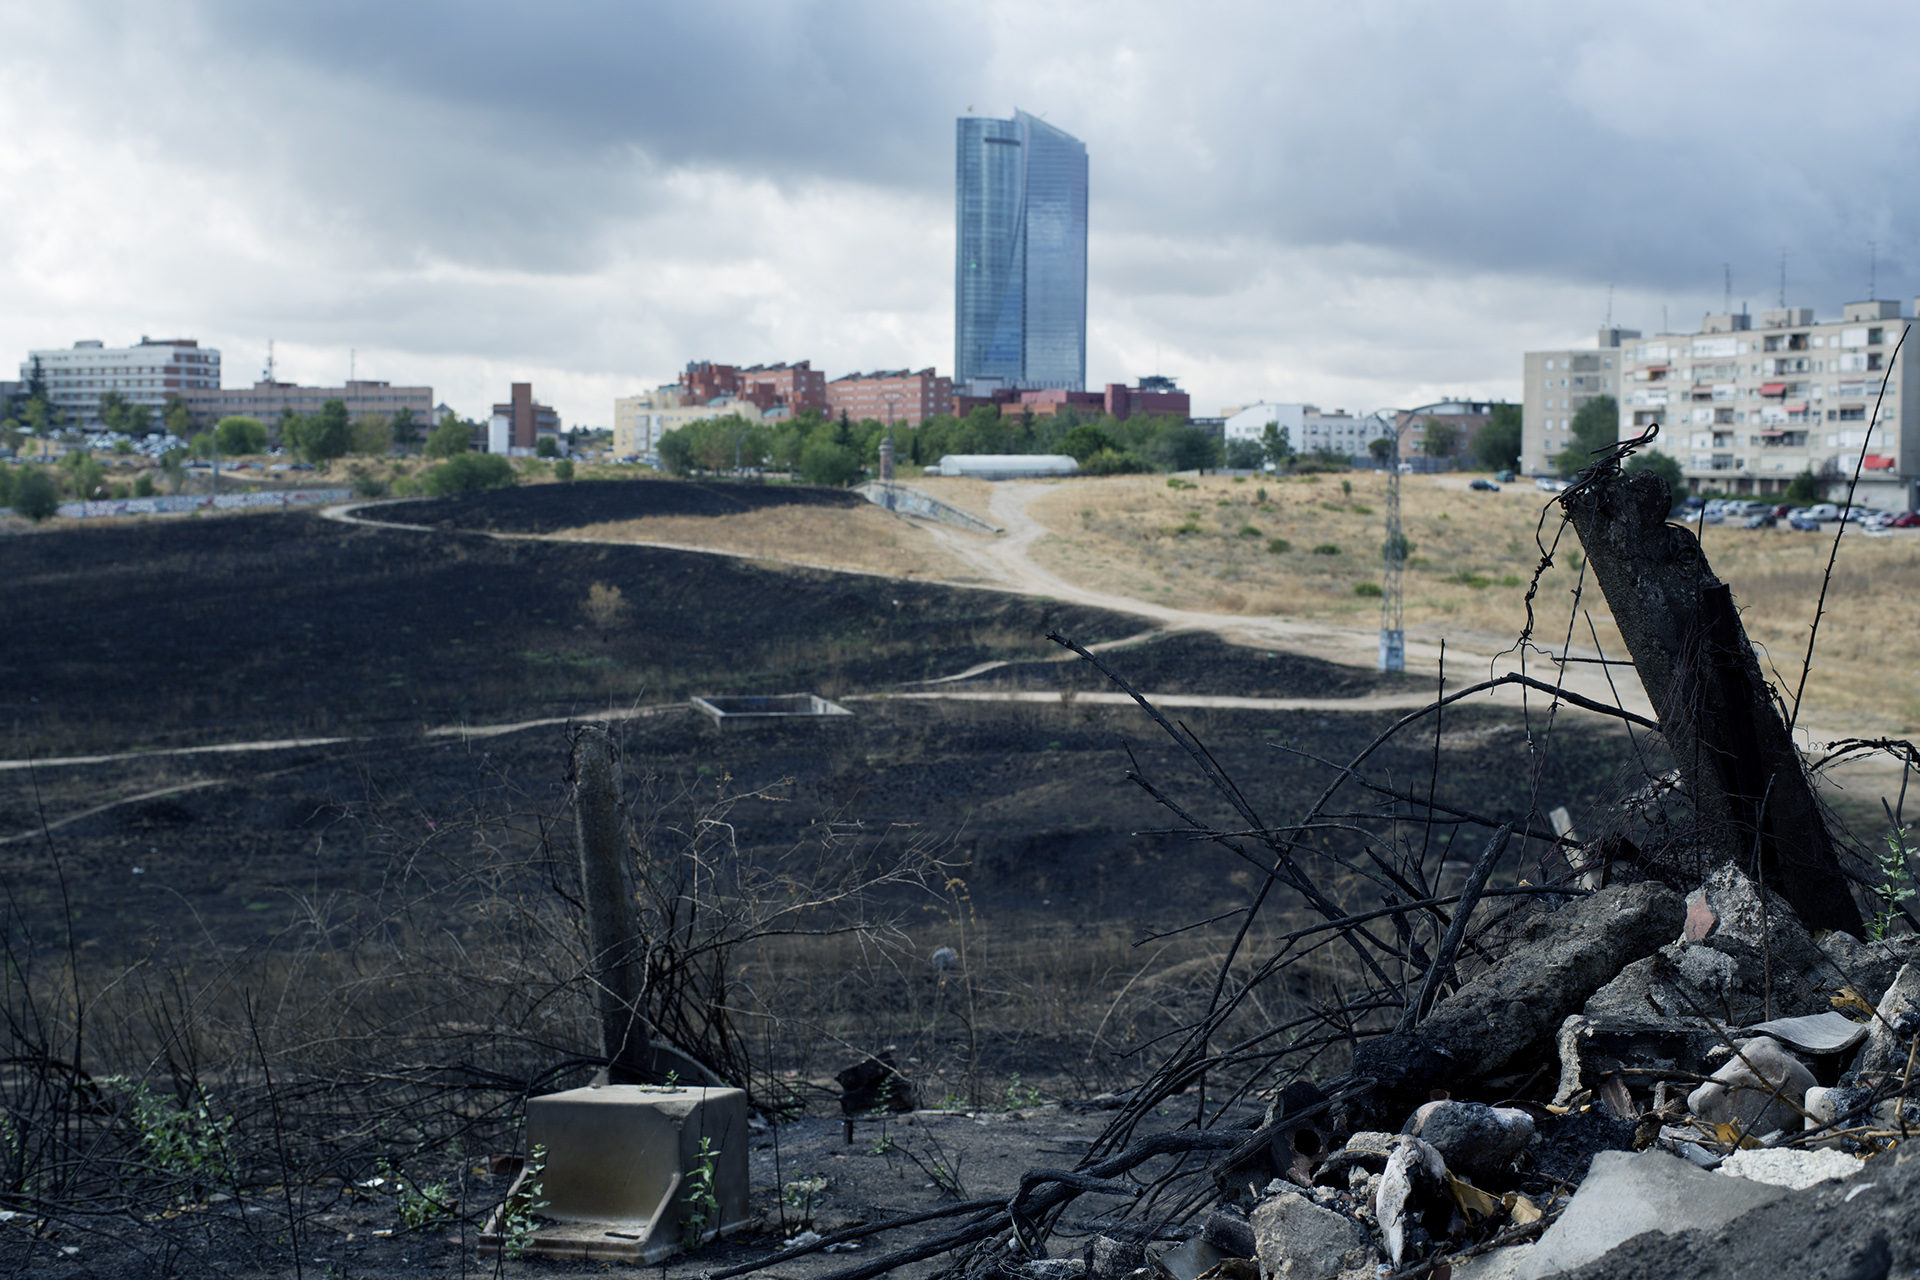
[1020, 256]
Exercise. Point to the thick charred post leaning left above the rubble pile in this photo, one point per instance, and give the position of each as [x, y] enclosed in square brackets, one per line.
[1717, 713]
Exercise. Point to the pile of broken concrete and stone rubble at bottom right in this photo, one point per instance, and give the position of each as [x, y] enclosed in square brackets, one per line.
[1712, 1058]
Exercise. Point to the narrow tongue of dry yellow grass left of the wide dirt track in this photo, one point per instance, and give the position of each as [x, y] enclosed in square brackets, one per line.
[863, 538]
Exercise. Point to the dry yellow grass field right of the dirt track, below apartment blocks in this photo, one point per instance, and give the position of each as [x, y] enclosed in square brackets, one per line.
[1301, 546]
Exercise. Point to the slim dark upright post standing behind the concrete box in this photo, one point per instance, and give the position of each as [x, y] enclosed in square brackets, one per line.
[617, 953]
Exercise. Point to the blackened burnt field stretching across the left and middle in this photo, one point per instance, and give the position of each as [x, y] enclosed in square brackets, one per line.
[362, 951]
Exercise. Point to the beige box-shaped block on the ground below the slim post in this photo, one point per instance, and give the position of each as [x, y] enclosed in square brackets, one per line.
[619, 1166]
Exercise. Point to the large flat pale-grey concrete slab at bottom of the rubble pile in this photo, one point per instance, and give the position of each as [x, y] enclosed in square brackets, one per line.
[1623, 1197]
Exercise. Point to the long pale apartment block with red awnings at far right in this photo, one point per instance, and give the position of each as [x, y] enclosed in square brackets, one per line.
[1748, 408]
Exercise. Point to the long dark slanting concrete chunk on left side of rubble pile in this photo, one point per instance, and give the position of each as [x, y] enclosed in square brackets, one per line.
[1514, 1010]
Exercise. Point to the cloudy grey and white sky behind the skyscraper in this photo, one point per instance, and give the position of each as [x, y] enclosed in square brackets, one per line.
[1356, 204]
